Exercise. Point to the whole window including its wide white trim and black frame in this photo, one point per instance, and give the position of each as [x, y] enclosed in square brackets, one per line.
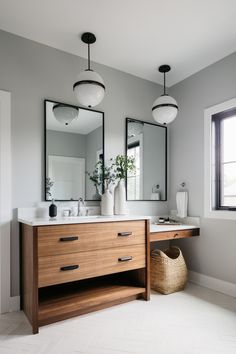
[220, 161]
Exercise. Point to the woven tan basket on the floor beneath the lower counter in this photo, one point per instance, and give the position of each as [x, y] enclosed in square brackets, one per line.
[168, 270]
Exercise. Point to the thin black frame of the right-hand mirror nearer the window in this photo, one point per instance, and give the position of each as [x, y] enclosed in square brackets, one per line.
[128, 119]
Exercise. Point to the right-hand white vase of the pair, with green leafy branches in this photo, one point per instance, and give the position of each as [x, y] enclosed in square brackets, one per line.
[123, 166]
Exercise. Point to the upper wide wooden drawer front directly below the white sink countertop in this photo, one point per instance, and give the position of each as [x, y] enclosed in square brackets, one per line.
[62, 239]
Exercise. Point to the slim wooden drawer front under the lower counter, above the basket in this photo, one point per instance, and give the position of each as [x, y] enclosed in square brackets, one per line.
[171, 235]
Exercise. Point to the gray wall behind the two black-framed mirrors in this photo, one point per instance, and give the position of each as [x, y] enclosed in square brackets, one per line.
[33, 72]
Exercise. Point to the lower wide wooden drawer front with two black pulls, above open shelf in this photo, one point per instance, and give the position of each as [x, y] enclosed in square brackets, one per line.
[76, 266]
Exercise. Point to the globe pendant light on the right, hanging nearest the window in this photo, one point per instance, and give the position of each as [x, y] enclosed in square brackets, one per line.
[165, 108]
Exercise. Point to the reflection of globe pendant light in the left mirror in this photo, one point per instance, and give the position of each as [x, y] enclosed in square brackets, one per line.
[64, 114]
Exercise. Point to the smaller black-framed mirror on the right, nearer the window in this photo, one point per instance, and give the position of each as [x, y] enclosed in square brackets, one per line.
[147, 144]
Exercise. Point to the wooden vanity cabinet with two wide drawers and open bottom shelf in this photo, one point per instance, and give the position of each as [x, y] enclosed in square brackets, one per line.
[68, 270]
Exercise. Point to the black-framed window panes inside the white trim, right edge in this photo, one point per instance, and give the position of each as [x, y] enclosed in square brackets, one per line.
[224, 159]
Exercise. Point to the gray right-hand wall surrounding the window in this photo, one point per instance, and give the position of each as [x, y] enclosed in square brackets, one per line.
[213, 253]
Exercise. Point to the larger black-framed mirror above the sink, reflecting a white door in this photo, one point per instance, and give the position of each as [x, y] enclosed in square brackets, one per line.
[74, 143]
